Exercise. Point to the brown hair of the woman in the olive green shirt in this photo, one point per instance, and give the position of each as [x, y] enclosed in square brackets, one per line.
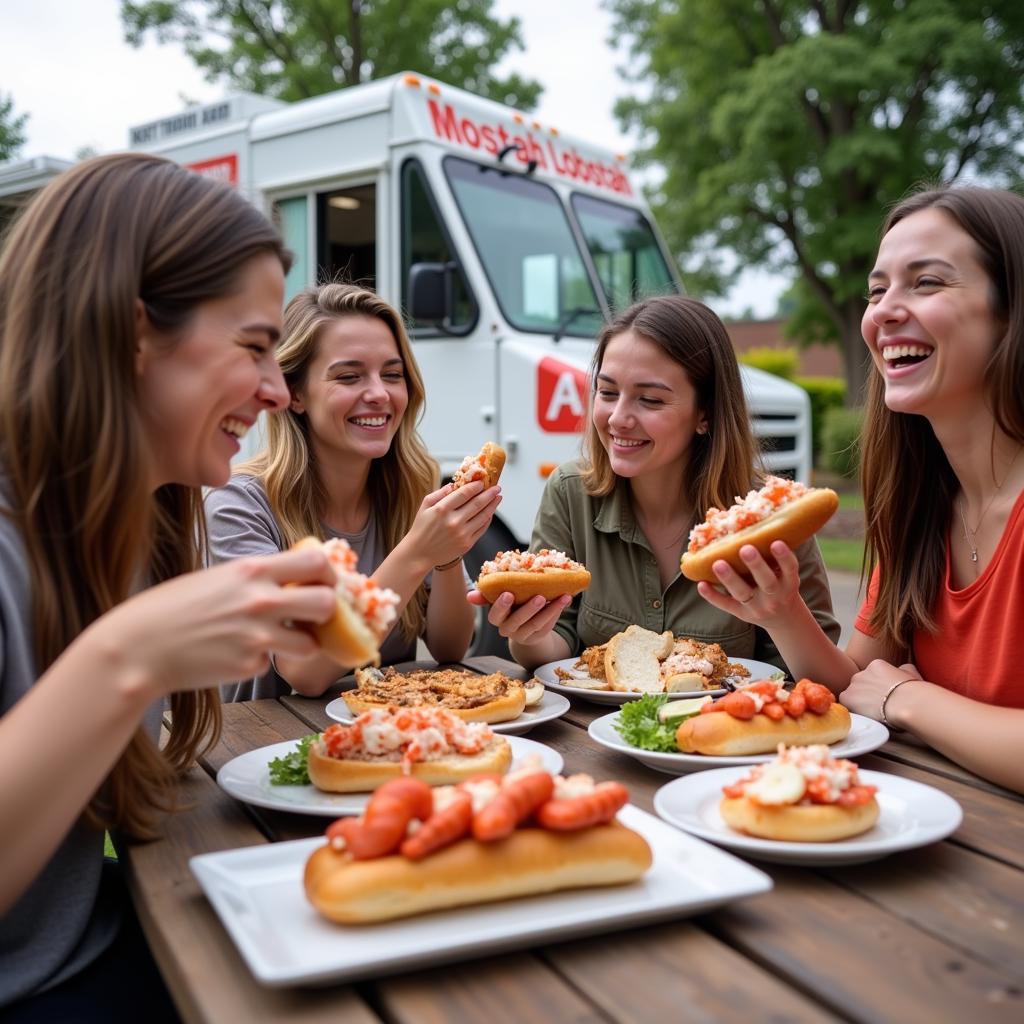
[723, 461]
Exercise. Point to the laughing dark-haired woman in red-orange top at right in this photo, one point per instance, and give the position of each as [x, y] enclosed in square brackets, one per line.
[940, 645]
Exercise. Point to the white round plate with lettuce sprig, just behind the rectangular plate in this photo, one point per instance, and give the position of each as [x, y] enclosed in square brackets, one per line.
[248, 779]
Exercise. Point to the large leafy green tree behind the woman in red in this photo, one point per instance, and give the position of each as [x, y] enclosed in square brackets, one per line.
[786, 127]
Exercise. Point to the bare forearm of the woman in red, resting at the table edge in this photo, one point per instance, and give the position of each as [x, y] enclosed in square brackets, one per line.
[985, 739]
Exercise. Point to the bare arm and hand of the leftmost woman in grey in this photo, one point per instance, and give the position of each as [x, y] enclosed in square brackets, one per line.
[83, 711]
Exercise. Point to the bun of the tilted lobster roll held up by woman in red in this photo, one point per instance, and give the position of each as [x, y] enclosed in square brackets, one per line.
[794, 523]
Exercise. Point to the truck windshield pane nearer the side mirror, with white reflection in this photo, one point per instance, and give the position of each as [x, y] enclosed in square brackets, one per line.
[523, 236]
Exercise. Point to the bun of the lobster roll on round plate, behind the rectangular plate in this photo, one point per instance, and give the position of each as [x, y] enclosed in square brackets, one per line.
[361, 776]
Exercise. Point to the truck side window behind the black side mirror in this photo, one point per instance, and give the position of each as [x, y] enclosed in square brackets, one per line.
[425, 241]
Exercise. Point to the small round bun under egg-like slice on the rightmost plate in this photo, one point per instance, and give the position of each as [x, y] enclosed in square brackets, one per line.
[799, 824]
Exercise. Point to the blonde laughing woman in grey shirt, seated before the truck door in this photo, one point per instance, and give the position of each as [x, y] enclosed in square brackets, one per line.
[346, 460]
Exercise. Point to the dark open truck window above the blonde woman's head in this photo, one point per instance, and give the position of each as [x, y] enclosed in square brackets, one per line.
[347, 233]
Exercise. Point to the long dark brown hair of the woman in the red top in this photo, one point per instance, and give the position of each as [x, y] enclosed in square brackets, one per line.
[909, 485]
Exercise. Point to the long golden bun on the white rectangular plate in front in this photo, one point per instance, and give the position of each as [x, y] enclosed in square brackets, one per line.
[529, 862]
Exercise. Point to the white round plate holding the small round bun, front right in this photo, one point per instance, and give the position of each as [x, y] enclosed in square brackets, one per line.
[912, 815]
